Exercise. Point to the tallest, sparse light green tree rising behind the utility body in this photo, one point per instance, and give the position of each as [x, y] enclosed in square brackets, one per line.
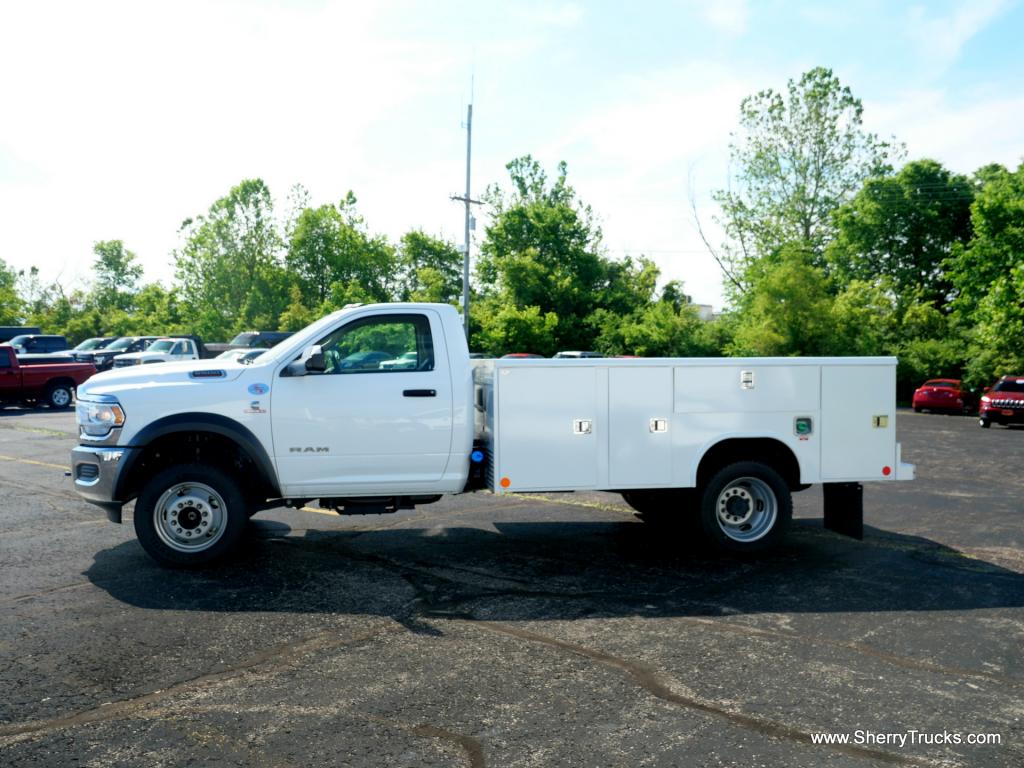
[798, 157]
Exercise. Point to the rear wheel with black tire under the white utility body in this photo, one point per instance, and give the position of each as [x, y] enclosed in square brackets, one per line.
[747, 507]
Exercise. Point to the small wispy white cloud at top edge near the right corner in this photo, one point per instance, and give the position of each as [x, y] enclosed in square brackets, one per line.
[941, 38]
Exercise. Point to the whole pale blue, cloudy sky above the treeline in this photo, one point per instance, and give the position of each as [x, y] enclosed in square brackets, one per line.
[122, 119]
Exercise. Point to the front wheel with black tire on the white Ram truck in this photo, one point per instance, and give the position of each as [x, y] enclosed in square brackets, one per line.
[190, 517]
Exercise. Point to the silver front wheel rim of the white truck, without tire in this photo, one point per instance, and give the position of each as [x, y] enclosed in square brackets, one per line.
[190, 518]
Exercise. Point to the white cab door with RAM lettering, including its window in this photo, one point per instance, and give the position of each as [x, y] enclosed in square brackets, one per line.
[378, 420]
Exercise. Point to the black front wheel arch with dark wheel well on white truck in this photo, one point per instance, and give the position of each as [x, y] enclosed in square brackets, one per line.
[196, 437]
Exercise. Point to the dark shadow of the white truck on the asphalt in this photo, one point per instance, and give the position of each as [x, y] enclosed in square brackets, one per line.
[560, 571]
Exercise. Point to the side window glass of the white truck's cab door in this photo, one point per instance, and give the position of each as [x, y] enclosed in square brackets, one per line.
[385, 345]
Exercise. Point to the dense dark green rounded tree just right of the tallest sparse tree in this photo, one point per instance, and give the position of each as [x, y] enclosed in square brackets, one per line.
[904, 229]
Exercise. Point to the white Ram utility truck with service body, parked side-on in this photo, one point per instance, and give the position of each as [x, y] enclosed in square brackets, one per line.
[330, 415]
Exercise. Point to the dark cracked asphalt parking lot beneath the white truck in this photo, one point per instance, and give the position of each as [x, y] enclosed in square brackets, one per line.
[486, 631]
